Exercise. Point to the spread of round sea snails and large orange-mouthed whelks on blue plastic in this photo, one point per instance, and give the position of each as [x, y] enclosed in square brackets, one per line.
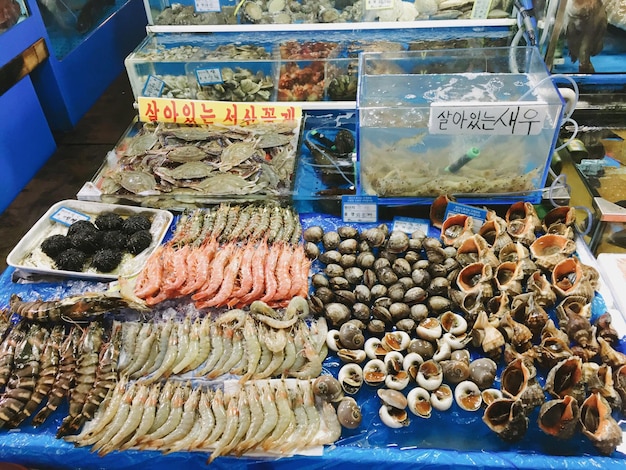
[496, 318]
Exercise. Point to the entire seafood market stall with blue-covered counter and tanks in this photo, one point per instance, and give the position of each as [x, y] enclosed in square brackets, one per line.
[235, 288]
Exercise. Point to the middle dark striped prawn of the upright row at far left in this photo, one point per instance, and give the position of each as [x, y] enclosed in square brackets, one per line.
[65, 375]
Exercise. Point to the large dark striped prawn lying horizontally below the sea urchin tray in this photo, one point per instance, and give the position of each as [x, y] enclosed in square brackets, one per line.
[75, 308]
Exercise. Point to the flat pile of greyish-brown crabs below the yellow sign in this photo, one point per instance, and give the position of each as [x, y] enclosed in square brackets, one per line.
[194, 161]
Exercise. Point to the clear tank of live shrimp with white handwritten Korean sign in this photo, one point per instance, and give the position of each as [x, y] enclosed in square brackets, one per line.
[465, 122]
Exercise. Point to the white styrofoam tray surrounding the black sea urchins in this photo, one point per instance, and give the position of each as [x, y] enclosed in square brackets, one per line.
[28, 257]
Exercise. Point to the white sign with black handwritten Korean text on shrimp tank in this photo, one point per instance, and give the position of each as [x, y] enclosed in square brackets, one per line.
[498, 119]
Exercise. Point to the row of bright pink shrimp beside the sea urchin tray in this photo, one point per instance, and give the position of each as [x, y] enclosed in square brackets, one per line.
[233, 274]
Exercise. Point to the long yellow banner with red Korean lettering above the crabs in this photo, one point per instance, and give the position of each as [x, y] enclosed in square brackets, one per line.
[213, 112]
